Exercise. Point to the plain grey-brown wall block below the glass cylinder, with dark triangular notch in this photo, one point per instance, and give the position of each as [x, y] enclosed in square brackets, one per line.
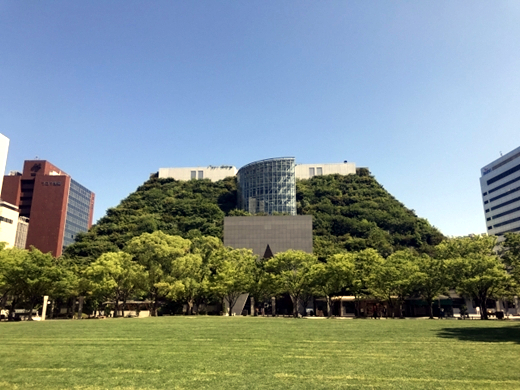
[268, 235]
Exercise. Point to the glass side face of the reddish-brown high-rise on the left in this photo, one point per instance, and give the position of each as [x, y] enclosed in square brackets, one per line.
[78, 212]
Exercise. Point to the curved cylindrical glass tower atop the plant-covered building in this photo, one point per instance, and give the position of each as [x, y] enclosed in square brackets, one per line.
[268, 186]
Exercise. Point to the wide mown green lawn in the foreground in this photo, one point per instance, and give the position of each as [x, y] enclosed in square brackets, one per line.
[259, 353]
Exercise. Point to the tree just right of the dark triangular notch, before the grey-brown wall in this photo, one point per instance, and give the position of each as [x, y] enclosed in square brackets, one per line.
[291, 272]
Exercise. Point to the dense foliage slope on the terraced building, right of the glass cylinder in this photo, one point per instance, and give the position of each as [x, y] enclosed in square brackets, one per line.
[355, 212]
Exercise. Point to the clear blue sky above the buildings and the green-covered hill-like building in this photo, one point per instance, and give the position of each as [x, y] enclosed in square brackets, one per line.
[423, 93]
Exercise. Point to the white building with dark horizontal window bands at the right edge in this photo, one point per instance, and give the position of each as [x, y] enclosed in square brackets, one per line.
[500, 185]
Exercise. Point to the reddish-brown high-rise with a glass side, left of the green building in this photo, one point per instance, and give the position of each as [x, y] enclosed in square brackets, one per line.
[57, 206]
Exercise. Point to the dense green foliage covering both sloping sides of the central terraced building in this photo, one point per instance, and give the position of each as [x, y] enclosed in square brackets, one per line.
[351, 213]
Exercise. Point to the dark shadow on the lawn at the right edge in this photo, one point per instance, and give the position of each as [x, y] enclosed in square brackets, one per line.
[484, 334]
